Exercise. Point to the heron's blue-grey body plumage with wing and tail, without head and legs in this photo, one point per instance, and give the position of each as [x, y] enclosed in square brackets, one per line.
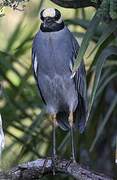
[53, 56]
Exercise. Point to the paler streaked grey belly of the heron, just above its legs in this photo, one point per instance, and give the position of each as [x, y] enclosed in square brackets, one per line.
[59, 92]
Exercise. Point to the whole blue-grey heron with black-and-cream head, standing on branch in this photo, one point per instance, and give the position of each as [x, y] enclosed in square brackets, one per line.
[54, 51]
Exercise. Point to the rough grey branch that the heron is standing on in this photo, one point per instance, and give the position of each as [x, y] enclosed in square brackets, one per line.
[38, 168]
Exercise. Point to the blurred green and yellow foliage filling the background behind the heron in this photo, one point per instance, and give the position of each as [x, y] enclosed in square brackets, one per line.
[26, 126]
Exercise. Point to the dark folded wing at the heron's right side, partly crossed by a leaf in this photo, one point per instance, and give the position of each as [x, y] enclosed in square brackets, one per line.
[80, 84]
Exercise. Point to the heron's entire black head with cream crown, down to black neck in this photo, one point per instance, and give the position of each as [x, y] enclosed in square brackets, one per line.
[51, 20]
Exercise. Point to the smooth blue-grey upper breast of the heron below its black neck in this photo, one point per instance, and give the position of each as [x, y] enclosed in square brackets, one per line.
[54, 53]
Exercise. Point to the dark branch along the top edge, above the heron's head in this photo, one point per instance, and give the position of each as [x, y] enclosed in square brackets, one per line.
[75, 3]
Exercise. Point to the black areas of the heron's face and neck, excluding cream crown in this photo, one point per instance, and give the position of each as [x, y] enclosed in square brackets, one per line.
[49, 23]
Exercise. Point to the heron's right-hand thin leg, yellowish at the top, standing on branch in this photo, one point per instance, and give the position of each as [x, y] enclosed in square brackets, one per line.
[72, 136]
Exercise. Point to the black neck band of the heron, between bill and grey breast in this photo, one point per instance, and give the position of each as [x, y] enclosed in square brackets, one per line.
[53, 28]
